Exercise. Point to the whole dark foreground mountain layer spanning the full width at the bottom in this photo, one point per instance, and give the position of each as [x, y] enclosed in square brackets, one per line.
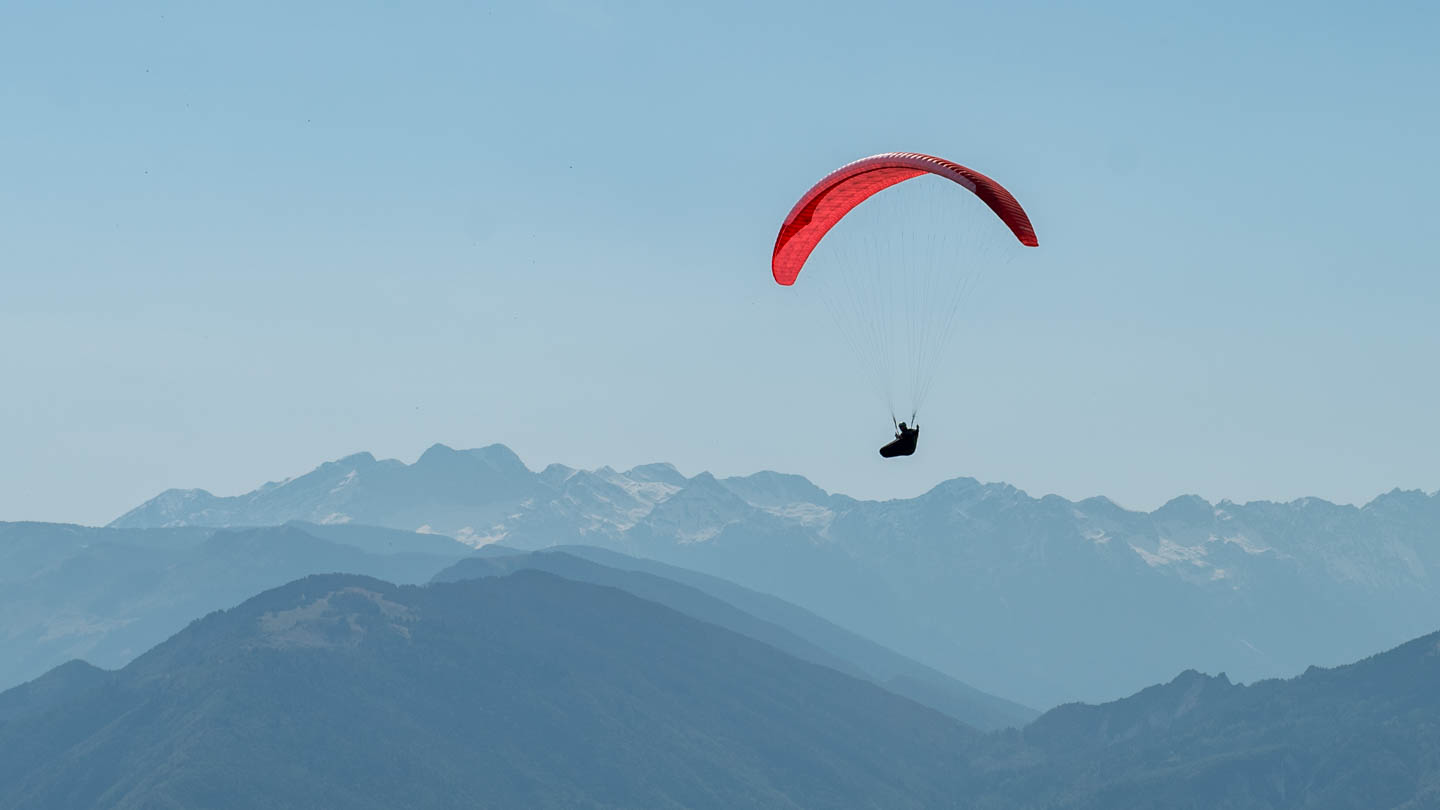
[528, 690]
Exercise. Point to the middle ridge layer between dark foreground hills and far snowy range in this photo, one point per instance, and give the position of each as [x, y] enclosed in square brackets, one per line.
[110, 595]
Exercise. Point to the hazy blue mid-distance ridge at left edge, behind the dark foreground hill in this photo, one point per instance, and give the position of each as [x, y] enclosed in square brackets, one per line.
[110, 595]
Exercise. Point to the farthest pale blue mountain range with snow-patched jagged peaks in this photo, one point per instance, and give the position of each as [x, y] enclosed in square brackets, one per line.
[1040, 600]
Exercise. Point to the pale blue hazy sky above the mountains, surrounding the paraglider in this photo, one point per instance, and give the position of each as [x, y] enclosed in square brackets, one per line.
[240, 241]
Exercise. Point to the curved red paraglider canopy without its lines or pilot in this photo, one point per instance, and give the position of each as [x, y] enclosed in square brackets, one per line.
[850, 185]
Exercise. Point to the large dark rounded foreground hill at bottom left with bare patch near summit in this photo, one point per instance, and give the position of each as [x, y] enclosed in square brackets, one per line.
[528, 691]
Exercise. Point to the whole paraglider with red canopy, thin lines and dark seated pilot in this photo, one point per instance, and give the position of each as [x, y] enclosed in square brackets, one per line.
[898, 286]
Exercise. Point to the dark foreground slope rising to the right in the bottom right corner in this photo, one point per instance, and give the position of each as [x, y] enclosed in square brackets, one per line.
[1363, 737]
